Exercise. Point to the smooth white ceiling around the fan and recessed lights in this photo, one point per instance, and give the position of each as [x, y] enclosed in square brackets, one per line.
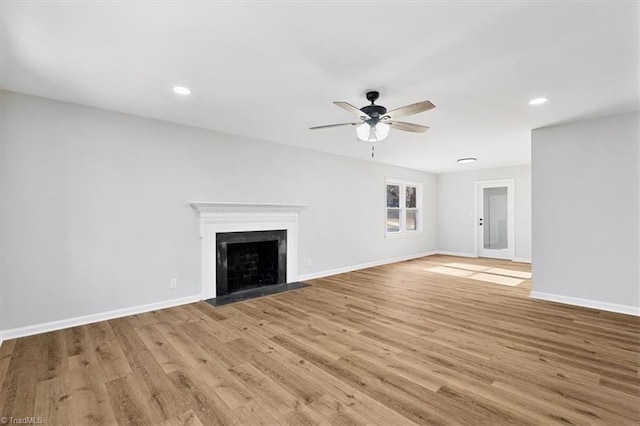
[271, 69]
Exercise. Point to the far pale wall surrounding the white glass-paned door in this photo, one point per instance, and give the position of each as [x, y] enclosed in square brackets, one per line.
[456, 209]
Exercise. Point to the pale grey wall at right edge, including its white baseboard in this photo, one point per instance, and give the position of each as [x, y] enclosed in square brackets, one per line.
[585, 213]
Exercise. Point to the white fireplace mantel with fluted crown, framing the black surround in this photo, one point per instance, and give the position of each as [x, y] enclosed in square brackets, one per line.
[218, 217]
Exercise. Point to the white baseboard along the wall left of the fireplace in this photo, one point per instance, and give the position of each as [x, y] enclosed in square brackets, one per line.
[88, 319]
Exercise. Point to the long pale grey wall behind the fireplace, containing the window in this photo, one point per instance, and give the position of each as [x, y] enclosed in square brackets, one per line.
[95, 209]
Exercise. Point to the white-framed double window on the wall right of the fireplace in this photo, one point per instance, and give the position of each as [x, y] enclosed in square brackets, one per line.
[404, 214]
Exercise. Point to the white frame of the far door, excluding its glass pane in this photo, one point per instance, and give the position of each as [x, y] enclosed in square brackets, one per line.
[508, 254]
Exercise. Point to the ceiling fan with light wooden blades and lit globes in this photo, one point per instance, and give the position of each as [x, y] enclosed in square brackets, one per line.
[375, 120]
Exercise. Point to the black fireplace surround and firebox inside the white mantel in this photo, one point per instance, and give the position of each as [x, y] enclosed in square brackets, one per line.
[246, 260]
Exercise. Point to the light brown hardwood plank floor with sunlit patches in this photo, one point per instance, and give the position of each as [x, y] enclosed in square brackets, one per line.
[429, 341]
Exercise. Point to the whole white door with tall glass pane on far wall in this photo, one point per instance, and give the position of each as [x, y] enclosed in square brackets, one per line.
[495, 202]
